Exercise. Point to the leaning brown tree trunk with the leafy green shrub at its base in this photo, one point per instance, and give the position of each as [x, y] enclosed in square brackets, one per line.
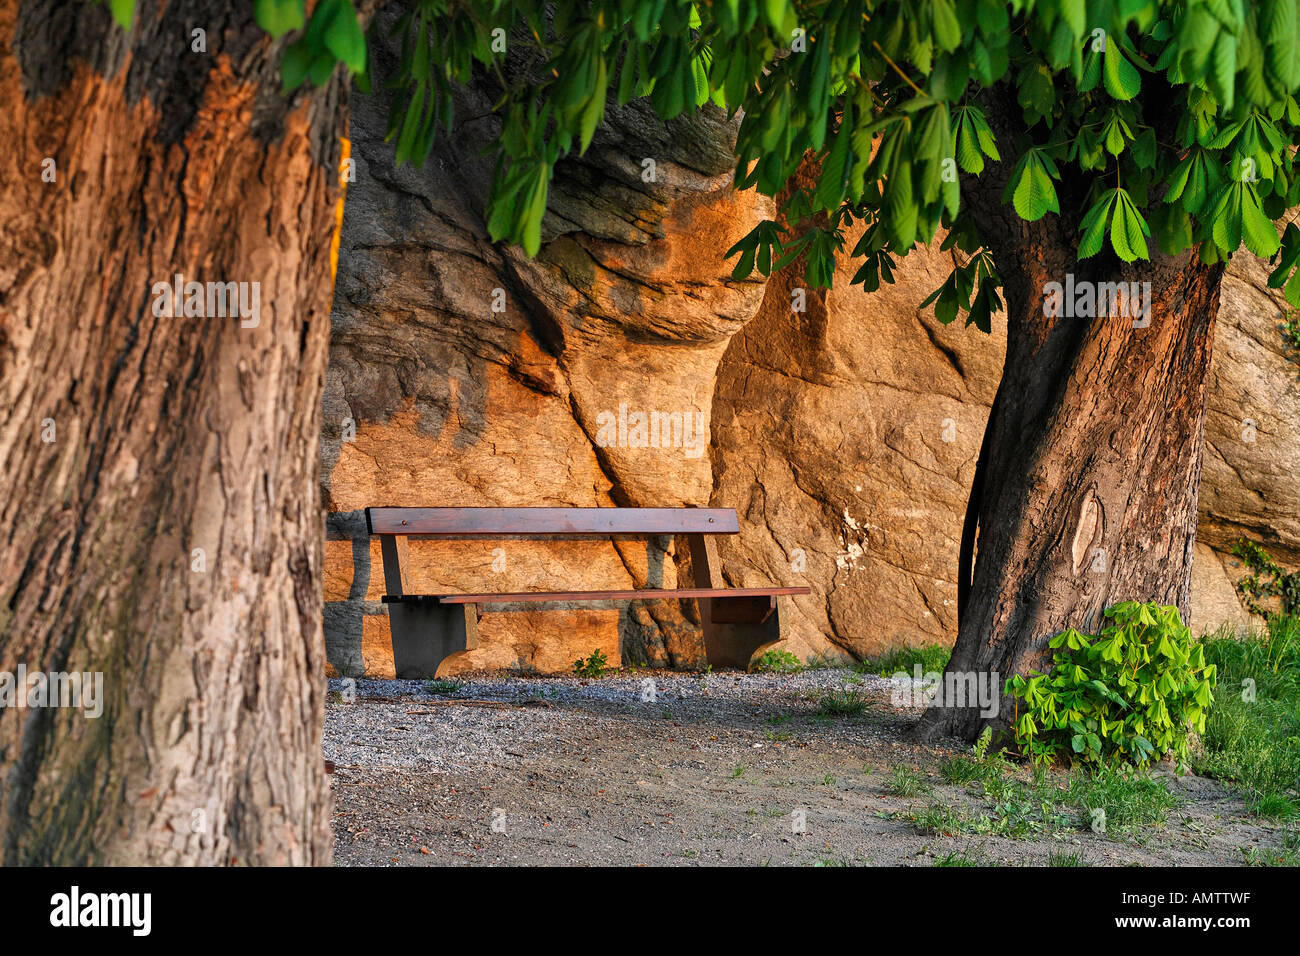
[1087, 486]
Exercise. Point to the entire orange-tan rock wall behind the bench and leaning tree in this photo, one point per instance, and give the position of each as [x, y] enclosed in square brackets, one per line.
[844, 435]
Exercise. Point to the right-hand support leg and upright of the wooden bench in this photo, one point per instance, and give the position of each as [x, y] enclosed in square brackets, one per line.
[735, 628]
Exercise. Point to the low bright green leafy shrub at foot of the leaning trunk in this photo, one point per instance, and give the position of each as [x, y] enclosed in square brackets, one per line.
[1125, 698]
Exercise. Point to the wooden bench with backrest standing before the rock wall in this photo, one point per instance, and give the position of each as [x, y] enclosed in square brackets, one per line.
[427, 629]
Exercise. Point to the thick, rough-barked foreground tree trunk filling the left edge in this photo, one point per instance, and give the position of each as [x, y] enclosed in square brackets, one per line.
[159, 500]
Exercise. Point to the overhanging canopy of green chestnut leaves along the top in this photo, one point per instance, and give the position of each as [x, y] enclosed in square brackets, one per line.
[1142, 126]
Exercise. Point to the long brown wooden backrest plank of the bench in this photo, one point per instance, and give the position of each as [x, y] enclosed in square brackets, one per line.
[461, 522]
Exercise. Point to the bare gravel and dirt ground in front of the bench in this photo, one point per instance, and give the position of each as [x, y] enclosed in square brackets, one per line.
[722, 769]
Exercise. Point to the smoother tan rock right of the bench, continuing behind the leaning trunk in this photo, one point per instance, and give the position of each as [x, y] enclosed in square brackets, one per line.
[848, 438]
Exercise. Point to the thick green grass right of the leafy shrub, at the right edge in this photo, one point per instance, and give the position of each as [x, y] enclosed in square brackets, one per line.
[1253, 736]
